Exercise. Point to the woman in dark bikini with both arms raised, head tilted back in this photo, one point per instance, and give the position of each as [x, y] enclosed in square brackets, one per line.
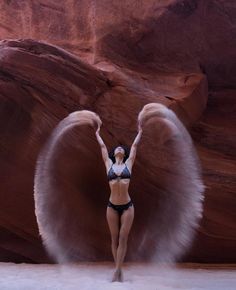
[120, 209]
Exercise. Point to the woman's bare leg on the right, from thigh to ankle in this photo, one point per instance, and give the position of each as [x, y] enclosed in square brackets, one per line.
[126, 223]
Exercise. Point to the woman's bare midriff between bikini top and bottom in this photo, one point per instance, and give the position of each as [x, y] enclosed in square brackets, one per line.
[119, 191]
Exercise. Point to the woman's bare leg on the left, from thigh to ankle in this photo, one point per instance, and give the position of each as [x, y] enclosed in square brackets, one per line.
[113, 223]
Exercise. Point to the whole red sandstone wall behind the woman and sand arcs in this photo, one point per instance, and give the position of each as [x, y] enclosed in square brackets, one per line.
[129, 55]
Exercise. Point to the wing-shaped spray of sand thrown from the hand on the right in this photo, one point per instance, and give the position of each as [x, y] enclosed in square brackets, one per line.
[178, 178]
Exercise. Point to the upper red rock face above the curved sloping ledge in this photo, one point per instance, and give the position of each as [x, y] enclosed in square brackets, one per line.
[170, 35]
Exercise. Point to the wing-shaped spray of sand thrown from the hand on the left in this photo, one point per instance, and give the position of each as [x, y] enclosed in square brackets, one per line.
[50, 208]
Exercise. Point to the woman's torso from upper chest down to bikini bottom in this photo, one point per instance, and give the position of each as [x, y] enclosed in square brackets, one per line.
[119, 186]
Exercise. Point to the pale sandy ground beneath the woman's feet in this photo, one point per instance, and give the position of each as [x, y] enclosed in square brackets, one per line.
[138, 276]
